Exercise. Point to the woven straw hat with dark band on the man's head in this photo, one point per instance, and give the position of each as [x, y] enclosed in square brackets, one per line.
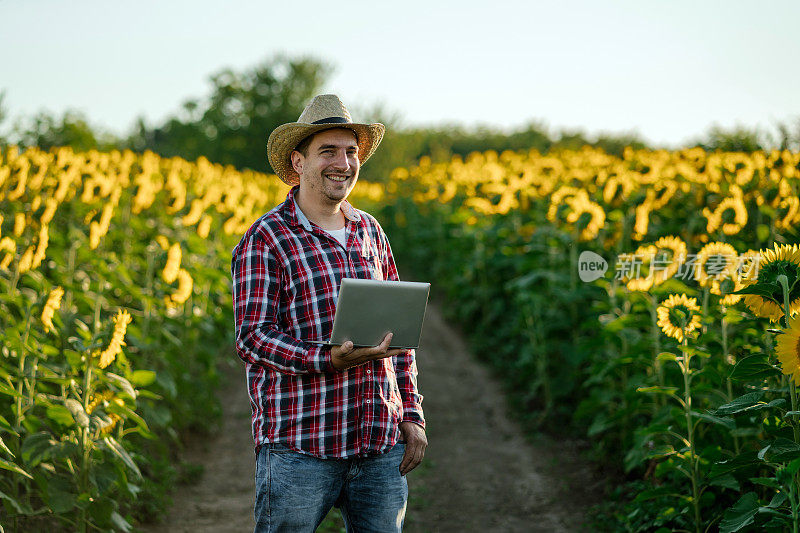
[324, 112]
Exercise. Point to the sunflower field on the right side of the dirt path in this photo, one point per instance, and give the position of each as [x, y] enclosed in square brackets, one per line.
[641, 299]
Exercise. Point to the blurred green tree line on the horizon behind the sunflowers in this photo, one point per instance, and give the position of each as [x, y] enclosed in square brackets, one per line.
[230, 125]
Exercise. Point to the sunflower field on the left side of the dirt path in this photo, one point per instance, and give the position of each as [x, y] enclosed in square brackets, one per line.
[115, 308]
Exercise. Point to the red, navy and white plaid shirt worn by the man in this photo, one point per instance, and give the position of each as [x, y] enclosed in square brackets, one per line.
[286, 273]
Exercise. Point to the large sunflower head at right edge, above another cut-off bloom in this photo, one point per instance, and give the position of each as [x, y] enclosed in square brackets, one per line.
[783, 259]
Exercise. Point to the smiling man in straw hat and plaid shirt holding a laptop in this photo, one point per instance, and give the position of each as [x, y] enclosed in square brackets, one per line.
[339, 426]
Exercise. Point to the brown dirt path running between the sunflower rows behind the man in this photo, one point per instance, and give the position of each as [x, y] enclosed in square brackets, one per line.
[479, 474]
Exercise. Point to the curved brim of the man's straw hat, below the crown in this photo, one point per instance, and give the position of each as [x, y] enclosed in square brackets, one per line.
[285, 138]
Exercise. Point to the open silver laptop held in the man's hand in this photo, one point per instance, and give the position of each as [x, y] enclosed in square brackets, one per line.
[368, 309]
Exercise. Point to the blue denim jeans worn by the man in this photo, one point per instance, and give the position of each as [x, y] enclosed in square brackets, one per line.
[295, 491]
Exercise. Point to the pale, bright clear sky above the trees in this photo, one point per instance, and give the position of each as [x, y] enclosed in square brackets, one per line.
[666, 70]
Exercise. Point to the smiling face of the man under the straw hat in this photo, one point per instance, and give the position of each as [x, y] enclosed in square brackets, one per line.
[330, 169]
